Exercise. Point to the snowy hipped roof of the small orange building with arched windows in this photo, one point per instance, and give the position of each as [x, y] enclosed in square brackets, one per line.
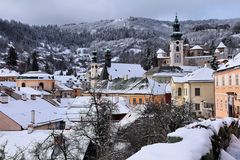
[36, 75]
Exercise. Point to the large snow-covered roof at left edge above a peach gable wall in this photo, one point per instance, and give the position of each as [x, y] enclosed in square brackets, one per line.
[20, 111]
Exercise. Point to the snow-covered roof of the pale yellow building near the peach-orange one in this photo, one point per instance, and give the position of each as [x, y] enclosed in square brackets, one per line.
[202, 74]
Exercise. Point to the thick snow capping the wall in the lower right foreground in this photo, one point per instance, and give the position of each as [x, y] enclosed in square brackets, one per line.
[196, 143]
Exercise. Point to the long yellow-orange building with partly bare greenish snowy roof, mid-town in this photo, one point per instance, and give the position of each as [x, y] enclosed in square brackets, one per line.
[135, 90]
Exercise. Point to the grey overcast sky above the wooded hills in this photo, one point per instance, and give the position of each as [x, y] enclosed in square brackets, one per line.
[44, 12]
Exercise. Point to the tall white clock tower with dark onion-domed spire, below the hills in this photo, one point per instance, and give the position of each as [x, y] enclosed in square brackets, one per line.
[176, 45]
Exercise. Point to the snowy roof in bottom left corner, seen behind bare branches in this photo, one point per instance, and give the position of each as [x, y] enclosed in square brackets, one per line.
[26, 142]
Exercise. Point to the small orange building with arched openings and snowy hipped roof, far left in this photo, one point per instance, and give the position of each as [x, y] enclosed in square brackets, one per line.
[36, 79]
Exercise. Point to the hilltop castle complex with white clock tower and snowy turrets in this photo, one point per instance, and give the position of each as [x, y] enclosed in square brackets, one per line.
[184, 54]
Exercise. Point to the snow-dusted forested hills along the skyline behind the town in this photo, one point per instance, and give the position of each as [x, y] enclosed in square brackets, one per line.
[121, 35]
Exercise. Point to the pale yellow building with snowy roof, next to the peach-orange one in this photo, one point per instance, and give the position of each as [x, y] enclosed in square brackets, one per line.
[196, 88]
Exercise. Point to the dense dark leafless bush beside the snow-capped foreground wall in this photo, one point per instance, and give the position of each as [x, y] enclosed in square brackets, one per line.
[153, 126]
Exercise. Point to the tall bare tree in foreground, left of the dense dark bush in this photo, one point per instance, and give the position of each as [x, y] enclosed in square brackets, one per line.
[98, 127]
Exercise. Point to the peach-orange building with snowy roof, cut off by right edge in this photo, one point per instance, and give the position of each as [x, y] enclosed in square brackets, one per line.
[227, 89]
